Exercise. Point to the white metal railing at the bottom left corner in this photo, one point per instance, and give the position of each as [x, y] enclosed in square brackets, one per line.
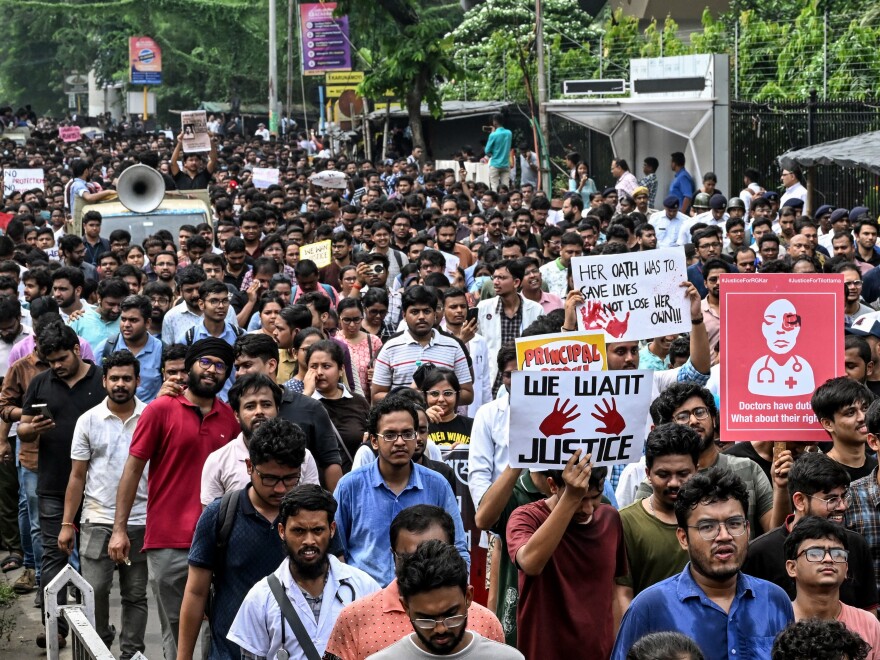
[85, 642]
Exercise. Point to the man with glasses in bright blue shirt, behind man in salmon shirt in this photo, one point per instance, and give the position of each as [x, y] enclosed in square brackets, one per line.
[370, 497]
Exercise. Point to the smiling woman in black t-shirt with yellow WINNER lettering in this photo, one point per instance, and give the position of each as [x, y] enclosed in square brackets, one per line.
[441, 389]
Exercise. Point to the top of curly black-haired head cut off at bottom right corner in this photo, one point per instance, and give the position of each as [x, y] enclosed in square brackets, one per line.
[812, 639]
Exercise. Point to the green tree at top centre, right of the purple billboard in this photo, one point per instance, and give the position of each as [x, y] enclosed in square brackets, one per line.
[405, 44]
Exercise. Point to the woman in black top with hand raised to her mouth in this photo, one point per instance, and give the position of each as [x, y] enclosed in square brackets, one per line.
[347, 410]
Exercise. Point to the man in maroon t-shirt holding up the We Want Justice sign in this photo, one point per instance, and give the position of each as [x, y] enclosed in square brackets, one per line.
[551, 541]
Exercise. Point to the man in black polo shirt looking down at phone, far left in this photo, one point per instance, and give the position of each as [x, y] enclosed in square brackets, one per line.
[67, 389]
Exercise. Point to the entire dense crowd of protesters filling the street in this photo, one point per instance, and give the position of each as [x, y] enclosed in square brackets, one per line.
[286, 453]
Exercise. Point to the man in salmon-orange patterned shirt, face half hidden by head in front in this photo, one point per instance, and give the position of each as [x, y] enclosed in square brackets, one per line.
[377, 621]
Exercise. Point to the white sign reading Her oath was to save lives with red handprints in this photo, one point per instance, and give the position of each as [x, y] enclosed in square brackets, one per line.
[633, 296]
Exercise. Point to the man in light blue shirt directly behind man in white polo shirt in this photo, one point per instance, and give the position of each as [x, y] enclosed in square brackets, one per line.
[133, 337]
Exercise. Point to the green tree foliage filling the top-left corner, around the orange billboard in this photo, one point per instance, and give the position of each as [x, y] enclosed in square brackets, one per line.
[212, 50]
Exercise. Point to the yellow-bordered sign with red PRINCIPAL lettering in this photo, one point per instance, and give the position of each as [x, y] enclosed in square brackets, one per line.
[575, 351]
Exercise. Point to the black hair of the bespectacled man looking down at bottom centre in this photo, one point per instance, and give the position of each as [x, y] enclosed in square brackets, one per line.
[433, 565]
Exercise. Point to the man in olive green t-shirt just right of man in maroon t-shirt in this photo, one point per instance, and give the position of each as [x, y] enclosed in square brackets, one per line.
[652, 549]
